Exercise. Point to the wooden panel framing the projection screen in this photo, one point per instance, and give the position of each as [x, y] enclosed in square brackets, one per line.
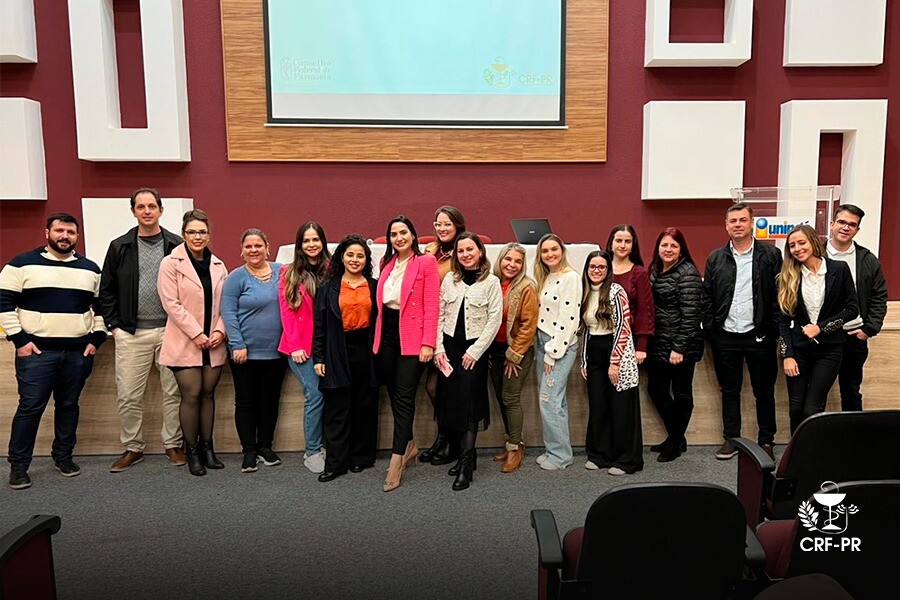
[250, 140]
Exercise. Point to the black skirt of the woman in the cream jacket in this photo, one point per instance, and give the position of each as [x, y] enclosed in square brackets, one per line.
[462, 398]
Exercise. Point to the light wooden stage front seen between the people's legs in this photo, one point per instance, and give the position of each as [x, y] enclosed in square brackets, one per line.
[98, 432]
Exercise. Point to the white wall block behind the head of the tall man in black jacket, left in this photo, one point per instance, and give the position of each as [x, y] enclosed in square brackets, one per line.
[105, 219]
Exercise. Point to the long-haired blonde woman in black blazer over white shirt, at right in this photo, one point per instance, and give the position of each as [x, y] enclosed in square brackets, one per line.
[816, 296]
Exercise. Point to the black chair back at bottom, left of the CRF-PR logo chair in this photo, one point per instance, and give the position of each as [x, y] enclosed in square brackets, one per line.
[667, 540]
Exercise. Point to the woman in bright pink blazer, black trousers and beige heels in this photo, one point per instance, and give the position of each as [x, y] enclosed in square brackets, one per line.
[408, 299]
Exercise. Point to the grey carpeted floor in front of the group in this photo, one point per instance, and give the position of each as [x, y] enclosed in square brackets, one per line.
[156, 532]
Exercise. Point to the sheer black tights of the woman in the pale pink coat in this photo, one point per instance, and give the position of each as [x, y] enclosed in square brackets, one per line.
[198, 401]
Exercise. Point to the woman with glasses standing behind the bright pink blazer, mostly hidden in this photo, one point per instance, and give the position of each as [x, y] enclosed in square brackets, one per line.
[449, 222]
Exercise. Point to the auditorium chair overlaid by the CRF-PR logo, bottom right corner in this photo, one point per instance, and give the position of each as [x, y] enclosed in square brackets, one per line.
[863, 558]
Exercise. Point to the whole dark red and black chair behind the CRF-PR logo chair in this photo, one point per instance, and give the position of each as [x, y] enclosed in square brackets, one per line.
[845, 446]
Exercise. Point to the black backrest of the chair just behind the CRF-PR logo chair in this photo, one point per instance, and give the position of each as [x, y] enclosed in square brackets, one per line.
[846, 446]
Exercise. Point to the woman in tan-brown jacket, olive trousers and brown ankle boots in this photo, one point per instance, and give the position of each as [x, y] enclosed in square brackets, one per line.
[512, 351]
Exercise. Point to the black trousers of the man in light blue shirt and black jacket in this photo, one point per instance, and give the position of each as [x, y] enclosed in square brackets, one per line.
[730, 350]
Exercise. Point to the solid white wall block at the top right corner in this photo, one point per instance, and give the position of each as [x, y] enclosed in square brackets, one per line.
[834, 33]
